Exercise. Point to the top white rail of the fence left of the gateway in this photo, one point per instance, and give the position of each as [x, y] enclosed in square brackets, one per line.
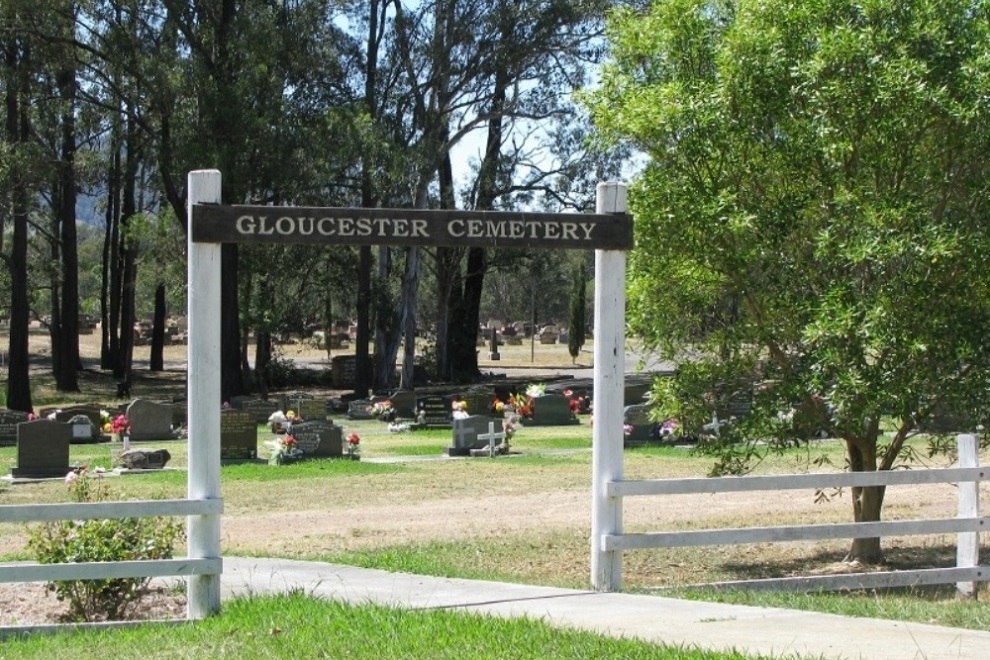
[136, 509]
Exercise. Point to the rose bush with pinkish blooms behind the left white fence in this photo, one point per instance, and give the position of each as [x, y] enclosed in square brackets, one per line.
[107, 540]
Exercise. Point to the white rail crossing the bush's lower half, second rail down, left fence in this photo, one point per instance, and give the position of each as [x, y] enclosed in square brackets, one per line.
[107, 570]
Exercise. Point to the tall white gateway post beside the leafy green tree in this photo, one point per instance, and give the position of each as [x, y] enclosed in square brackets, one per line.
[607, 438]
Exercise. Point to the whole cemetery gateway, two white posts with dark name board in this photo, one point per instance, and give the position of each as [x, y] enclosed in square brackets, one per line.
[608, 232]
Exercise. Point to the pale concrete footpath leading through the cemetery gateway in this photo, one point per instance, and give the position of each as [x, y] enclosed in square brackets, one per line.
[772, 632]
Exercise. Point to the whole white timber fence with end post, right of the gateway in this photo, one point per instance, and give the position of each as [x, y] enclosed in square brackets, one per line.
[967, 525]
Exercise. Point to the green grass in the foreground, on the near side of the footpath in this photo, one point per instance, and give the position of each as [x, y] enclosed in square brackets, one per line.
[297, 626]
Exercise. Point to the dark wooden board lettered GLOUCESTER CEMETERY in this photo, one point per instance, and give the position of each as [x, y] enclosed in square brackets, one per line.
[216, 223]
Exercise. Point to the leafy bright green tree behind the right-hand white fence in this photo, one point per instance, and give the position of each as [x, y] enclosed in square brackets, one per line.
[813, 216]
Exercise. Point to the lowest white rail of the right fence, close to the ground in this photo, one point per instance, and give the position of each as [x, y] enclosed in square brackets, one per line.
[881, 580]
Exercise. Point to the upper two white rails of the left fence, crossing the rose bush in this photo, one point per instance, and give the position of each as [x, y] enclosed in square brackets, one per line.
[34, 572]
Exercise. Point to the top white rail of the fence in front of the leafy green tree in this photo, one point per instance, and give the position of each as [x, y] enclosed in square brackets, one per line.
[794, 481]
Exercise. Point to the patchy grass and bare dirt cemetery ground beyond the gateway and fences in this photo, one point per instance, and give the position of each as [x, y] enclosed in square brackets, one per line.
[523, 518]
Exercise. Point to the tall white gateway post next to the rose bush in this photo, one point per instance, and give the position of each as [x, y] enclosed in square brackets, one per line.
[203, 591]
